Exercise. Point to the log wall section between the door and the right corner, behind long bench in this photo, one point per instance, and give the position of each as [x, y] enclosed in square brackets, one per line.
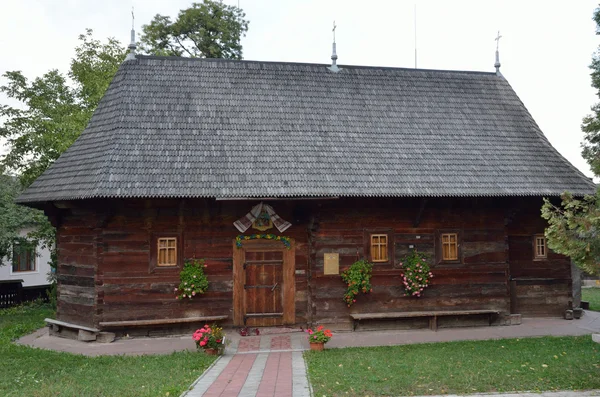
[479, 281]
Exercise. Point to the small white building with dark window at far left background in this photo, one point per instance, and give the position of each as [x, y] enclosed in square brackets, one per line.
[30, 265]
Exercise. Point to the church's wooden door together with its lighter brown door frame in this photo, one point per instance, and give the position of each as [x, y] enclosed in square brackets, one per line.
[263, 284]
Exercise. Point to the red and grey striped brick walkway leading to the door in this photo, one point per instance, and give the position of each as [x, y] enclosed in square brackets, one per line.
[258, 366]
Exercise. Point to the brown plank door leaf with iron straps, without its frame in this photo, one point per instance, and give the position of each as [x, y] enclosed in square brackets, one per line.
[263, 293]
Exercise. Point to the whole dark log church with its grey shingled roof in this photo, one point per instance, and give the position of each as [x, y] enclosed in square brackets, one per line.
[280, 175]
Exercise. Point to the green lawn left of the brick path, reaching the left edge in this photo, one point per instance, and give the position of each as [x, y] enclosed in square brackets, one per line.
[34, 372]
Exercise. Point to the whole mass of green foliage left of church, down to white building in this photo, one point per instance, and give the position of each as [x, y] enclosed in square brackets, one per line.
[53, 110]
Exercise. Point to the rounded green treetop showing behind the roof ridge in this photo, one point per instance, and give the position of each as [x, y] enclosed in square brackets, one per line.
[209, 29]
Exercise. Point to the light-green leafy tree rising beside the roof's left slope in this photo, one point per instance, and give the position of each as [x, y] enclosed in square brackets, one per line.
[53, 114]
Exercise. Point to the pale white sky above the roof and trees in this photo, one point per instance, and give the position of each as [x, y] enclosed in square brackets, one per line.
[545, 48]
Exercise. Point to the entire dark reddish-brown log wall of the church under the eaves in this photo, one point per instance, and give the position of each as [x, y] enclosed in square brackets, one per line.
[105, 272]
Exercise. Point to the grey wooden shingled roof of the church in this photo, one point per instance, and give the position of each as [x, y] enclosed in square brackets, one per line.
[178, 127]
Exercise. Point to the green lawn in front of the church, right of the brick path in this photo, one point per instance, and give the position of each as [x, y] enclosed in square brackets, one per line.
[532, 364]
